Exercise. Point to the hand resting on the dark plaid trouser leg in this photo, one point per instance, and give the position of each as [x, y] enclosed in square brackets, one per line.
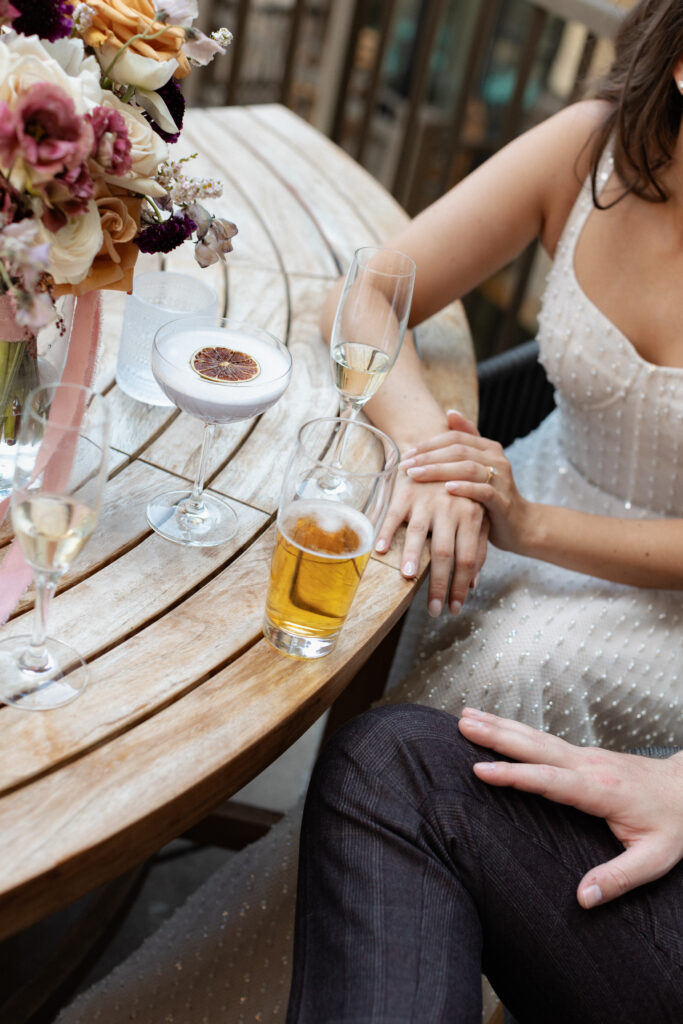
[642, 799]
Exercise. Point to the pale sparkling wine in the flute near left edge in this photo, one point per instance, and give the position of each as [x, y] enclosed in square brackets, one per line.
[52, 530]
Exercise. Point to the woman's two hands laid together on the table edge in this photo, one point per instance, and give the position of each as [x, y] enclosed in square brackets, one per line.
[459, 487]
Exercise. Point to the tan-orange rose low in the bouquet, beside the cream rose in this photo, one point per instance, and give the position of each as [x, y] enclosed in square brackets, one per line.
[114, 266]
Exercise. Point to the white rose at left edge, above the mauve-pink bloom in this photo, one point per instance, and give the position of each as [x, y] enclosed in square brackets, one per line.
[25, 61]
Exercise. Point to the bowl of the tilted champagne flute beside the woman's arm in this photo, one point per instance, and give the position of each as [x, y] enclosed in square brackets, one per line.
[370, 324]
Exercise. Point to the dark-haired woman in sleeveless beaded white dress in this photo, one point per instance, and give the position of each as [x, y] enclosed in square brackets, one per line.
[577, 623]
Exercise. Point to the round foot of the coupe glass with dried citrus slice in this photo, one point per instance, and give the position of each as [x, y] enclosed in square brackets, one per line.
[172, 517]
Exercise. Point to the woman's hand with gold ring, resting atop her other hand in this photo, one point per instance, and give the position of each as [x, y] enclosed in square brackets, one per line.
[477, 468]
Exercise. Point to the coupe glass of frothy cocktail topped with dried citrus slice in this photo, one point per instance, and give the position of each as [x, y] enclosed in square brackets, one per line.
[219, 372]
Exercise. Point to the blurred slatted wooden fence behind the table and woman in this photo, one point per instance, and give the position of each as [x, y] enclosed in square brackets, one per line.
[419, 93]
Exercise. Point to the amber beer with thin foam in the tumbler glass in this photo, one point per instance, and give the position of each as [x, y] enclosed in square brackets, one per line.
[321, 553]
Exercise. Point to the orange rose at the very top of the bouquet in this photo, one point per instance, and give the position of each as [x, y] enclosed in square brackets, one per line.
[116, 22]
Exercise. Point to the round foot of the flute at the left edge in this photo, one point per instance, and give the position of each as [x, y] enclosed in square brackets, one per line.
[40, 690]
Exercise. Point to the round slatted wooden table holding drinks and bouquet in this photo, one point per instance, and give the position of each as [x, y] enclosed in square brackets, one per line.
[187, 702]
